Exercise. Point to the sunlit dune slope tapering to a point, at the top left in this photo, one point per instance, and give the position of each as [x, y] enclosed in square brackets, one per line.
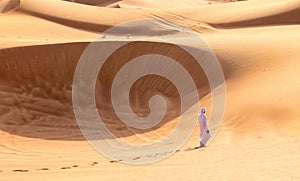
[98, 19]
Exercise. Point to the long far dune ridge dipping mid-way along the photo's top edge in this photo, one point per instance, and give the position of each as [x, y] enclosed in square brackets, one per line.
[220, 15]
